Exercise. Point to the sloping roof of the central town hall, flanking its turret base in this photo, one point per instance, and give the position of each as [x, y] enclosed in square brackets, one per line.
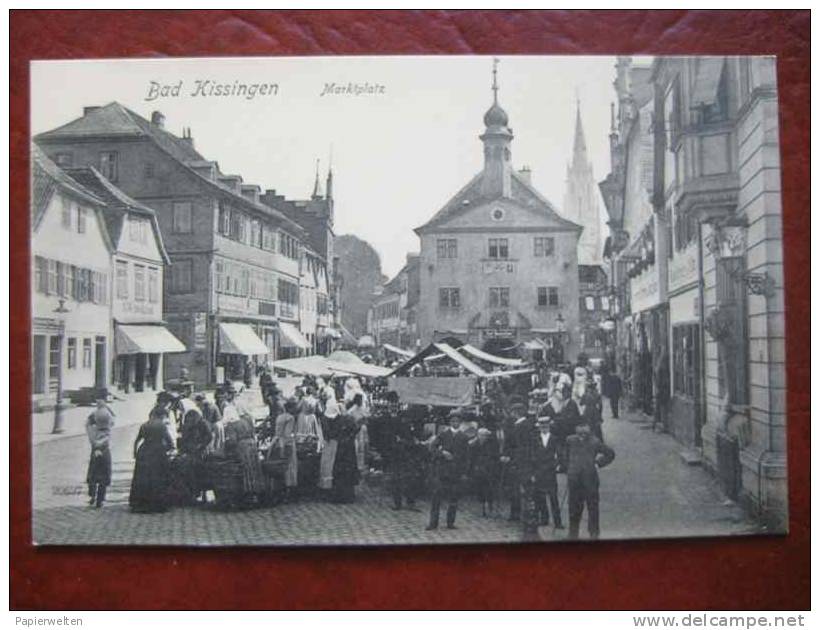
[523, 194]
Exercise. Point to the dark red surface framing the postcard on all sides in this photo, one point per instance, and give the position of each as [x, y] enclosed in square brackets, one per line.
[759, 573]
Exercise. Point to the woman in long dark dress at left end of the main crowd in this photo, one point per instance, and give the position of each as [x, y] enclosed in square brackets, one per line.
[149, 485]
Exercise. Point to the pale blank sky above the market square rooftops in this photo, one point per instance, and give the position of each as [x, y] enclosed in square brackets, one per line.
[399, 149]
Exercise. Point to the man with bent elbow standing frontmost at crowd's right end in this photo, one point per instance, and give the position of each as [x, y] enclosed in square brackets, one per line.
[586, 453]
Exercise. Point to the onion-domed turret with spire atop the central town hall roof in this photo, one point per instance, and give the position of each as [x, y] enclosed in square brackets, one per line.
[496, 179]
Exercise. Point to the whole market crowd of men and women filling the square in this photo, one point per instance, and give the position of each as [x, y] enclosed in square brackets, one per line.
[318, 442]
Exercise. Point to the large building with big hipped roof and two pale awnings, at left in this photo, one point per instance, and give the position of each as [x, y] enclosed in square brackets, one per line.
[232, 288]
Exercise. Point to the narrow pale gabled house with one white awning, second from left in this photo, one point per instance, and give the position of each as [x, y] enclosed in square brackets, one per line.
[137, 326]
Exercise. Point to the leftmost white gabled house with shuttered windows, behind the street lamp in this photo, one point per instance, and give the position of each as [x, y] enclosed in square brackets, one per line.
[71, 311]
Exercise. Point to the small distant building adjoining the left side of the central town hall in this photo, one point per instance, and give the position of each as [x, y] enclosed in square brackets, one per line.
[393, 316]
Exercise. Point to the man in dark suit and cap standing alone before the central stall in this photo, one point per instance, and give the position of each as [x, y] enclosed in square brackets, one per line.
[451, 460]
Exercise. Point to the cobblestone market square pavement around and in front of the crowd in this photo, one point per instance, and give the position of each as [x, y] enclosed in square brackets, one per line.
[648, 491]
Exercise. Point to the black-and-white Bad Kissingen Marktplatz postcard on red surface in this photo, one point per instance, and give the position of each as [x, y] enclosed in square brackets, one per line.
[406, 300]
